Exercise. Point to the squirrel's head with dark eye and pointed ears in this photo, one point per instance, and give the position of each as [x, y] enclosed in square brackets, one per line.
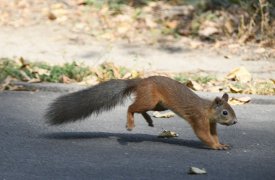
[222, 112]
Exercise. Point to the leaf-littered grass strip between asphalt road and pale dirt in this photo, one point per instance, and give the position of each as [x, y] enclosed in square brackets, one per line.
[79, 73]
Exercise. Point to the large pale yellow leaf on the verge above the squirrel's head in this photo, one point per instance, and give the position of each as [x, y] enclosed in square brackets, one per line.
[240, 74]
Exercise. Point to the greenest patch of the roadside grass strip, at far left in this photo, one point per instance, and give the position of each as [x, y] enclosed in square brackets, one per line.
[41, 71]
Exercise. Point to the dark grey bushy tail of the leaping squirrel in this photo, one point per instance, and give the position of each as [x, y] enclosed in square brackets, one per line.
[81, 104]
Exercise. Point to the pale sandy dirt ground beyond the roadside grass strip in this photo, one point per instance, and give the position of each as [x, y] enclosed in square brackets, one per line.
[39, 39]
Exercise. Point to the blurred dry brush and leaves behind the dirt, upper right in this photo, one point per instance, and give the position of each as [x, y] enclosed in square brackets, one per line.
[245, 20]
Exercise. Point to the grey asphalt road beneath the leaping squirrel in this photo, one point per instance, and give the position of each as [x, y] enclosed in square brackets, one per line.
[101, 148]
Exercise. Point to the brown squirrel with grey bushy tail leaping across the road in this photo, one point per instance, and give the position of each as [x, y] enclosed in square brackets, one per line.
[155, 93]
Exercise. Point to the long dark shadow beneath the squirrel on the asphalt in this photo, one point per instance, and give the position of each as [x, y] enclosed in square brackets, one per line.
[124, 138]
